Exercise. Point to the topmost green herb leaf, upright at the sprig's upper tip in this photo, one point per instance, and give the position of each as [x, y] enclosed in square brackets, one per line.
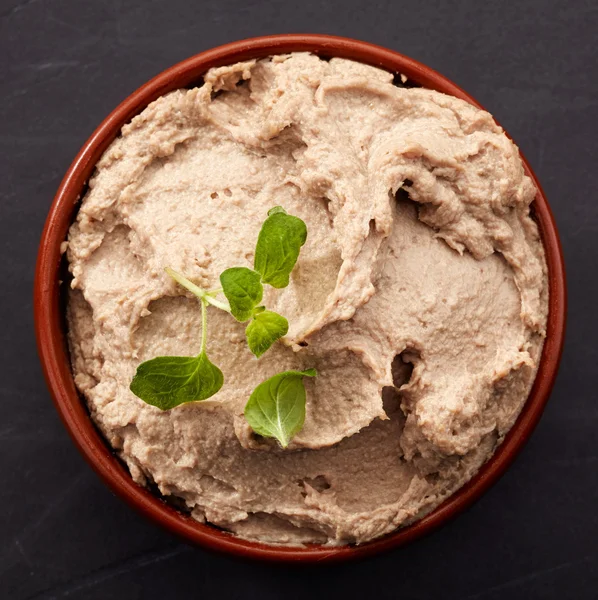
[278, 246]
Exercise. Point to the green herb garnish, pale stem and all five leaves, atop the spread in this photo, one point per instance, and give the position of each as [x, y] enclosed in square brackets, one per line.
[276, 408]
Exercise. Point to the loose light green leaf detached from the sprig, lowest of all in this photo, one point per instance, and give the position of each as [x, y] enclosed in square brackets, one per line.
[276, 408]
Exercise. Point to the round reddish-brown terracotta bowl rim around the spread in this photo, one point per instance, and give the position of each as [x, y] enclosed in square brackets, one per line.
[50, 322]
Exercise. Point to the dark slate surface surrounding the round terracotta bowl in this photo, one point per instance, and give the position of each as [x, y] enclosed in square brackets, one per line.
[64, 64]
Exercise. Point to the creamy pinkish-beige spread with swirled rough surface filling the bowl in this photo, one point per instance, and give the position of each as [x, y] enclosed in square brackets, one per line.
[420, 296]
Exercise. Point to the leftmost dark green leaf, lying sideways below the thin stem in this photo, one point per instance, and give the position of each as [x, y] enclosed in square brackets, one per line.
[167, 381]
